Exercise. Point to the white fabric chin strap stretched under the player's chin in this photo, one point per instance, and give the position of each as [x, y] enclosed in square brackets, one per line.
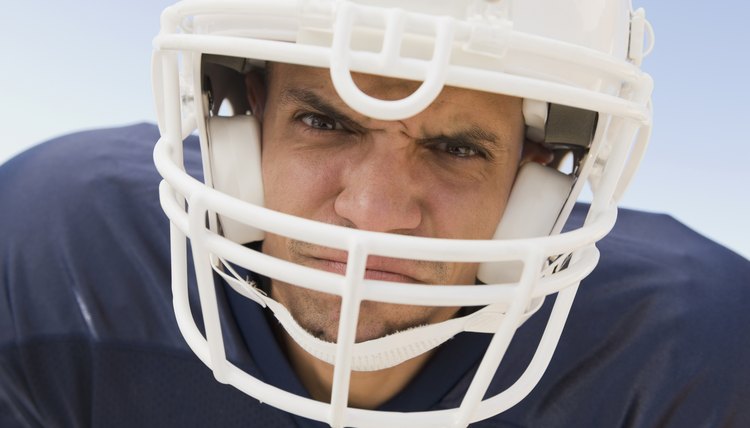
[384, 352]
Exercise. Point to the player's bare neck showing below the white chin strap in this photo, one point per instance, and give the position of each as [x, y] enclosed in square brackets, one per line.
[367, 390]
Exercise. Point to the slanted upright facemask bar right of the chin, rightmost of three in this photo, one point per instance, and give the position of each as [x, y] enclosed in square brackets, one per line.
[501, 339]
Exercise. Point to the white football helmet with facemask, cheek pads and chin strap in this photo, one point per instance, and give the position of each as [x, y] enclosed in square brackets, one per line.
[576, 65]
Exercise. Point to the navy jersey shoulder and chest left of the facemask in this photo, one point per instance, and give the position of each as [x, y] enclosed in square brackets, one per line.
[87, 331]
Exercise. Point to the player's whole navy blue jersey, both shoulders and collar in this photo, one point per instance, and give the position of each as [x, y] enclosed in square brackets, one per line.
[658, 335]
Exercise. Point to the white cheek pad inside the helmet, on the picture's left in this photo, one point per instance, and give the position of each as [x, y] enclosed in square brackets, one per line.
[234, 153]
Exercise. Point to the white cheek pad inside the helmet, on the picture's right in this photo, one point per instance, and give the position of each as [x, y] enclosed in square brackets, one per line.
[536, 200]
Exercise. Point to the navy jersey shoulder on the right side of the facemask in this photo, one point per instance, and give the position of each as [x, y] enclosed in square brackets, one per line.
[661, 323]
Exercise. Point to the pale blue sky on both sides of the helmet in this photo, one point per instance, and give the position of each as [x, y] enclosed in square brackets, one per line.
[77, 64]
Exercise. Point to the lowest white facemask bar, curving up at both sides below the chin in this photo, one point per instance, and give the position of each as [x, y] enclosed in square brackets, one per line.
[471, 410]
